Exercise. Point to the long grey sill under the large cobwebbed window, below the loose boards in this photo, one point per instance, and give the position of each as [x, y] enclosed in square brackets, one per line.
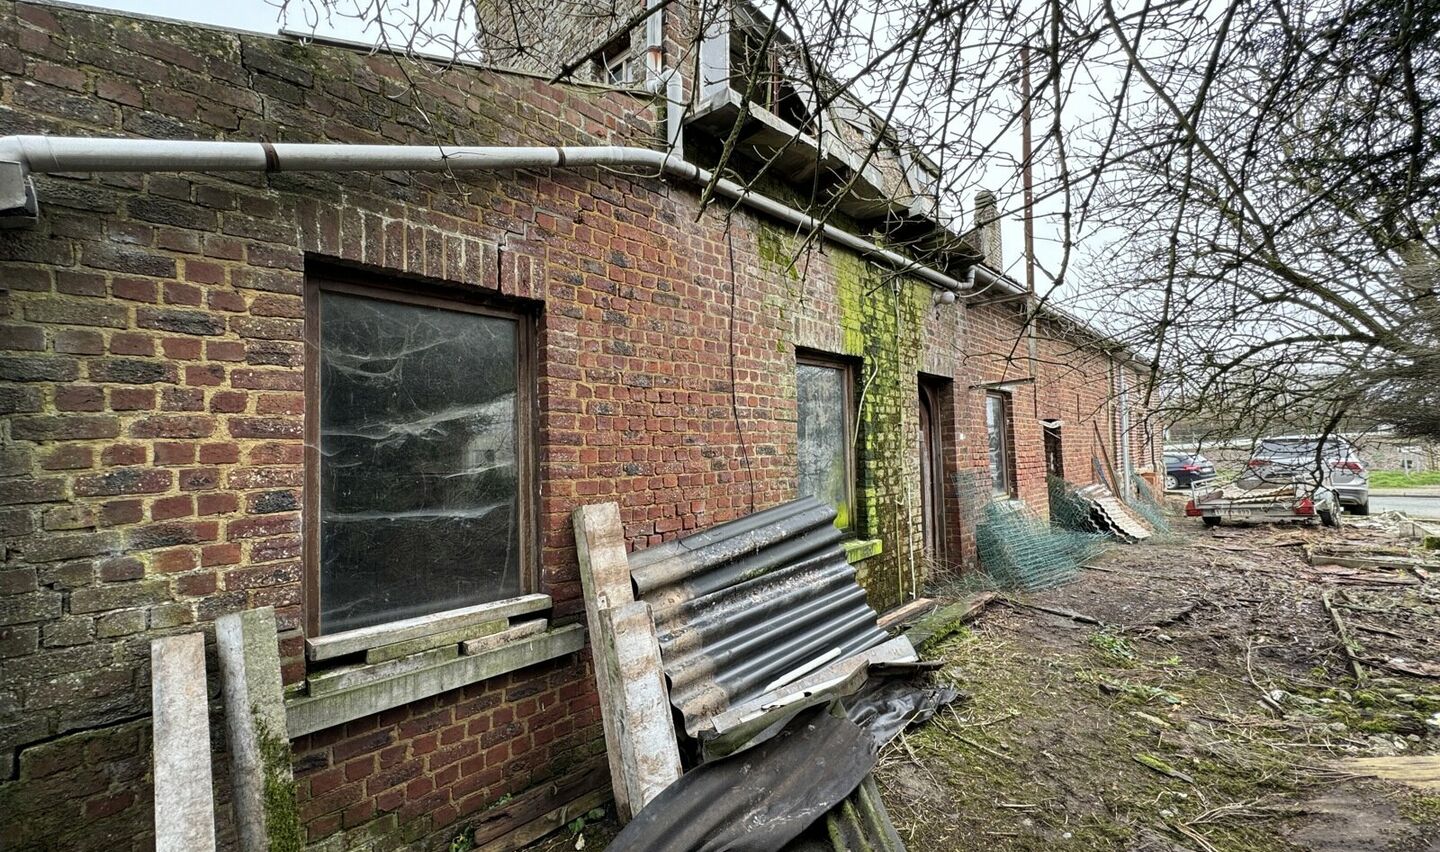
[325, 712]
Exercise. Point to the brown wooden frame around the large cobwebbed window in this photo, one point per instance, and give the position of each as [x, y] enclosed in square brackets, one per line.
[431, 296]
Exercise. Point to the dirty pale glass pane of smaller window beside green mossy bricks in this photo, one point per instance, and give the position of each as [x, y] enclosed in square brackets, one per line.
[824, 438]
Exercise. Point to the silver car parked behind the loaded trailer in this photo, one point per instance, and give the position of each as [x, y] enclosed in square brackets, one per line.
[1334, 467]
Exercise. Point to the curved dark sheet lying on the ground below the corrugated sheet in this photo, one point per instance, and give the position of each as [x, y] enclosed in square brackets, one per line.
[761, 799]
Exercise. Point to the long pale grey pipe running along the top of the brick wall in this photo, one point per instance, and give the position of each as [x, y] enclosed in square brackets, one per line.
[25, 155]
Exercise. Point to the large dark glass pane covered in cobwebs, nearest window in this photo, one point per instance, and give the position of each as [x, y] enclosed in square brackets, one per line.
[418, 473]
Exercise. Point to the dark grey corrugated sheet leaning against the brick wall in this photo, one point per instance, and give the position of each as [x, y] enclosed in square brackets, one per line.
[752, 605]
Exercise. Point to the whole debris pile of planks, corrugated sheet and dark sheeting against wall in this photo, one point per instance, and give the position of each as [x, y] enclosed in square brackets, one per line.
[745, 684]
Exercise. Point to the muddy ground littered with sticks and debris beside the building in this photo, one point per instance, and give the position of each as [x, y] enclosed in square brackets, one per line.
[1213, 707]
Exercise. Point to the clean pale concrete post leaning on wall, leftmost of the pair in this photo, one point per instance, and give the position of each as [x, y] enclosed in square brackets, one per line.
[185, 795]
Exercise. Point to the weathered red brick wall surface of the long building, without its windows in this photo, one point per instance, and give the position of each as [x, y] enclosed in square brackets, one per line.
[153, 378]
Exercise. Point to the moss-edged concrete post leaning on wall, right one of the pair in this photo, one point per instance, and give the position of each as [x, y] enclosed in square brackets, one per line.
[266, 811]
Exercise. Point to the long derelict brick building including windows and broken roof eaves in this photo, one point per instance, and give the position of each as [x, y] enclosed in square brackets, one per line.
[227, 391]
